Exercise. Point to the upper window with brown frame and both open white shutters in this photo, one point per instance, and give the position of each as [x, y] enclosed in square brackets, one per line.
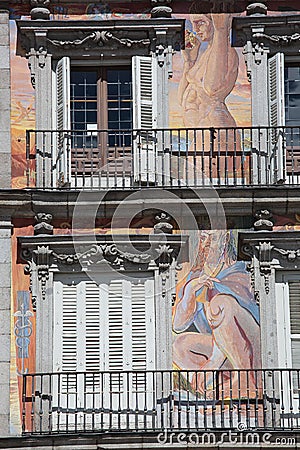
[116, 99]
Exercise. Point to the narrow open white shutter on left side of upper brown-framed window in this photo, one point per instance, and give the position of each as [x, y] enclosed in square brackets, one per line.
[63, 122]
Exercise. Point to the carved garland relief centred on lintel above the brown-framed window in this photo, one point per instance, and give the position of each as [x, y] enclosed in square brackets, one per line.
[99, 38]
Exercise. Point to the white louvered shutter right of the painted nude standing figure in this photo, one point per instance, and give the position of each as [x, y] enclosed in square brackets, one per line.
[276, 117]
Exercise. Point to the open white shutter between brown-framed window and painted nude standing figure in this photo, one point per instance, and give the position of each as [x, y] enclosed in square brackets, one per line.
[144, 82]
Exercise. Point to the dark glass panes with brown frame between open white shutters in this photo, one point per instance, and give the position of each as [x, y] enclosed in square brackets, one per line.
[102, 99]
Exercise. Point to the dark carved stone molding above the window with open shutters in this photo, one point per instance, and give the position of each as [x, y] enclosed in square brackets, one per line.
[74, 38]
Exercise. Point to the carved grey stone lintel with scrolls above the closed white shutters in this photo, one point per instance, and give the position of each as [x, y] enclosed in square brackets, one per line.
[60, 252]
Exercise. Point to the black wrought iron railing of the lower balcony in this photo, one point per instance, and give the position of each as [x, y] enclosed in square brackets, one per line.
[161, 400]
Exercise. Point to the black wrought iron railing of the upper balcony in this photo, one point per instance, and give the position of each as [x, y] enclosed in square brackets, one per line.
[104, 159]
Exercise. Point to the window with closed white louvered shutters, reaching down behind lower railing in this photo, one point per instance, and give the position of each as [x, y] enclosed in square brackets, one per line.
[101, 332]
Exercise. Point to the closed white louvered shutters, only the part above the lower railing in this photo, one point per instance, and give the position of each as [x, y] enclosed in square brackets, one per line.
[107, 327]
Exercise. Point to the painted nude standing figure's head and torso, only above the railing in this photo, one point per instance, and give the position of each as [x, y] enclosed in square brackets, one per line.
[210, 75]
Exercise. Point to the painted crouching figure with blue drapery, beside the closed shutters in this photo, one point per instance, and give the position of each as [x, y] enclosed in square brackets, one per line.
[215, 316]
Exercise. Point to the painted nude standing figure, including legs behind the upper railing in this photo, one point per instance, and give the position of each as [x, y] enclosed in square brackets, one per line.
[210, 71]
